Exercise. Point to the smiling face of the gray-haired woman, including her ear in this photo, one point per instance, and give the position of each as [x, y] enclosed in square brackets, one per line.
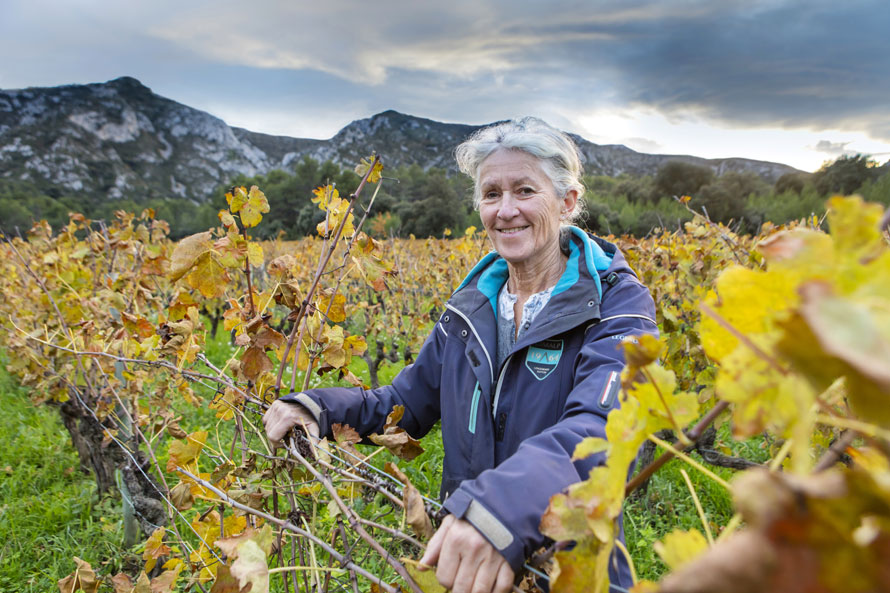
[519, 207]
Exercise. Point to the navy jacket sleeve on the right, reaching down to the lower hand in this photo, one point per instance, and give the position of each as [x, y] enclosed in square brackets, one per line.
[506, 503]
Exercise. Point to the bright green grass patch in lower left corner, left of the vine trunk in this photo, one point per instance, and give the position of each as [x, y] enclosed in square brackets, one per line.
[49, 510]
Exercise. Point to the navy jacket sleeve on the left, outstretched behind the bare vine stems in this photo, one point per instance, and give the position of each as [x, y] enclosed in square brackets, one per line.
[416, 387]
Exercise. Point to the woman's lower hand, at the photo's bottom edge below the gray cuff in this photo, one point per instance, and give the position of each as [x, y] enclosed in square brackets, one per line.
[465, 562]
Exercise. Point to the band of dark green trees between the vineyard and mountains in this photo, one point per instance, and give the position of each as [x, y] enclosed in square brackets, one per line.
[424, 203]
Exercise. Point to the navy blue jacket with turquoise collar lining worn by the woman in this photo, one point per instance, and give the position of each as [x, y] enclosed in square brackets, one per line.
[509, 433]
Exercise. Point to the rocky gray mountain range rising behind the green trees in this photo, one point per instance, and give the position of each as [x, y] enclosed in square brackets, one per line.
[120, 139]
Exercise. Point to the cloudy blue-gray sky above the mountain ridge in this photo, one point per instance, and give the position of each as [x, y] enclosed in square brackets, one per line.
[794, 82]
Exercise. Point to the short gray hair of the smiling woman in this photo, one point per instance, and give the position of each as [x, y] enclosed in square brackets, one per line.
[559, 156]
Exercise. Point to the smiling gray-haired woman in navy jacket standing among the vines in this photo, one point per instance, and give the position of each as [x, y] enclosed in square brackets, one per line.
[521, 366]
